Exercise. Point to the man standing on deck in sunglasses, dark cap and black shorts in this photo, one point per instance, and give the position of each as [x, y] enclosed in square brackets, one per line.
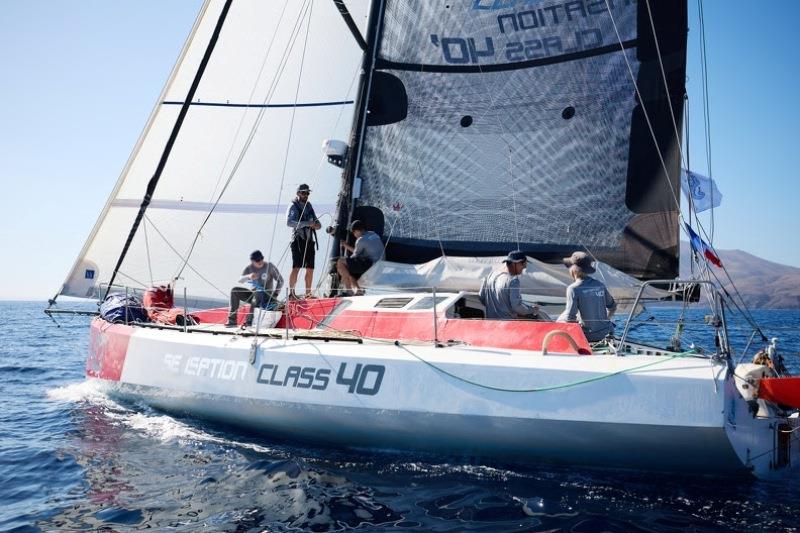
[301, 218]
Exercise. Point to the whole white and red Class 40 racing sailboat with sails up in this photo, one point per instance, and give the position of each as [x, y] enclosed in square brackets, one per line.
[474, 128]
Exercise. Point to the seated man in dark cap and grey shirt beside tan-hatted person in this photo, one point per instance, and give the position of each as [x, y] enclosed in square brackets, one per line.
[500, 291]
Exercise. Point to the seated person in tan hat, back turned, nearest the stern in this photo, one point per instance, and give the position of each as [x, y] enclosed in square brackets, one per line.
[588, 298]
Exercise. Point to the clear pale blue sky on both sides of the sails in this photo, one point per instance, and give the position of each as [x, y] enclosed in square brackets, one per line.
[78, 80]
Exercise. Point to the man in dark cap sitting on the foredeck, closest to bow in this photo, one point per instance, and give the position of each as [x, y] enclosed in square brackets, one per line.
[260, 275]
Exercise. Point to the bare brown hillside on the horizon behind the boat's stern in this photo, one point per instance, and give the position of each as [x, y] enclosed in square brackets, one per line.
[762, 283]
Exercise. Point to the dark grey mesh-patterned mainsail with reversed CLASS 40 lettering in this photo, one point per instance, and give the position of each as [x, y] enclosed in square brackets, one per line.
[540, 125]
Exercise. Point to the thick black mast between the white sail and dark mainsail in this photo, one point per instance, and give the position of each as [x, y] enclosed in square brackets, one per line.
[346, 202]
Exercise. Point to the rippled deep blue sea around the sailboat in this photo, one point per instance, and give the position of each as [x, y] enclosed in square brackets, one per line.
[73, 459]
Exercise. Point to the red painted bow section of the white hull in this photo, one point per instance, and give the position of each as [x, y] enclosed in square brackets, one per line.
[108, 344]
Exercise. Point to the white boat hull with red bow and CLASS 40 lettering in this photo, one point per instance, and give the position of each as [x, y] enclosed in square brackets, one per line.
[658, 413]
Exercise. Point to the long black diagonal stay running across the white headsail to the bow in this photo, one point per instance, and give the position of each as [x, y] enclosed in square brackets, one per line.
[151, 186]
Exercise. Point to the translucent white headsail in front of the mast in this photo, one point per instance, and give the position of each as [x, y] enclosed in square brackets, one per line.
[281, 79]
